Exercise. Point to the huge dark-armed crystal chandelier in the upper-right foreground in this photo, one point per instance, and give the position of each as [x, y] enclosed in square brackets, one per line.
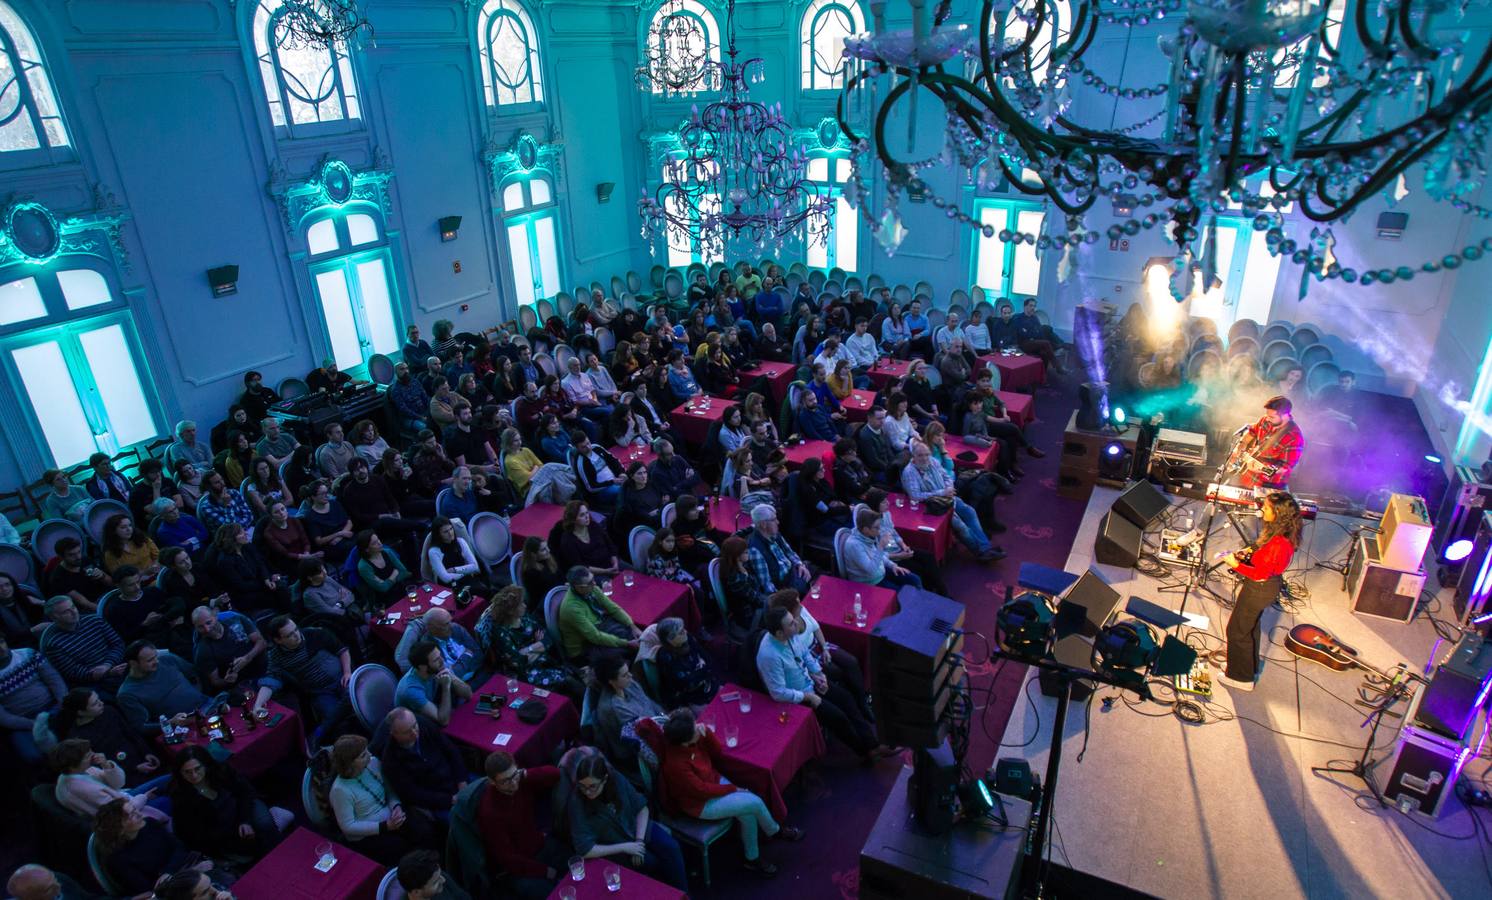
[1266, 108]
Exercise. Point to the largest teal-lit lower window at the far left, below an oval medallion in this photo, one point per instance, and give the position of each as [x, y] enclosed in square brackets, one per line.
[69, 347]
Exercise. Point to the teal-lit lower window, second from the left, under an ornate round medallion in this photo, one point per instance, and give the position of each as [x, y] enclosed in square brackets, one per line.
[353, 274]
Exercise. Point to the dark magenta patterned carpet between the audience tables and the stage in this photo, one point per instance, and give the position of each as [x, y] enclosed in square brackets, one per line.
[836, 799]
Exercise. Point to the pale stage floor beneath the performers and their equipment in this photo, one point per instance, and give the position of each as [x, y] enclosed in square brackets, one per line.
[1230, 808]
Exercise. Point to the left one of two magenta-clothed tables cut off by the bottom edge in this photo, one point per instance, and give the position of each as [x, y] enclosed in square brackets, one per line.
[290, 872]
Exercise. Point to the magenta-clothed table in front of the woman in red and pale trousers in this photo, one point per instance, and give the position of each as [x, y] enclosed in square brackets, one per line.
[771, 750]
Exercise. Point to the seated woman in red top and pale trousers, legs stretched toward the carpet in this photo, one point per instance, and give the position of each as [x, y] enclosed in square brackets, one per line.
[692, 786]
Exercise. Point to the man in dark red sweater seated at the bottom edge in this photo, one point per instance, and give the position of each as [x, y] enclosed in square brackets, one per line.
[524, 862]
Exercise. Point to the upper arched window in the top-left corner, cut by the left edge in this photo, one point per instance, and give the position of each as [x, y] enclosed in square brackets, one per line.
[31, 119]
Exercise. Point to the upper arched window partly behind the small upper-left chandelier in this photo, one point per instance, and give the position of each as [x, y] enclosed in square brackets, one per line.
[304, 86]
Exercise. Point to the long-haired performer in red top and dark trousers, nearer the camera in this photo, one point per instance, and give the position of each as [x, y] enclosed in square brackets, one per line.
[1261, 568]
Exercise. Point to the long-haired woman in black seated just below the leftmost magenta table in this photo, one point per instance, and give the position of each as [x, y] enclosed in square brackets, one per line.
[217, 813]
